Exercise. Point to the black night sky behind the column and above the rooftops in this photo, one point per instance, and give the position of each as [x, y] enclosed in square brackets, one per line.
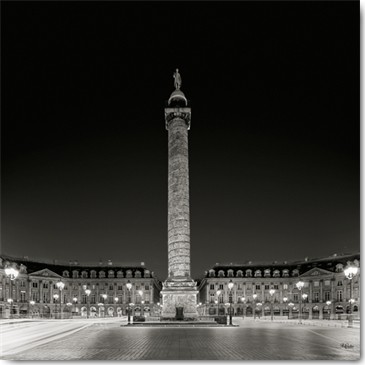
[274, 143]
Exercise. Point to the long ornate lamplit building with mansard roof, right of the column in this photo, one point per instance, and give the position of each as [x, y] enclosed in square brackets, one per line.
[271, 289]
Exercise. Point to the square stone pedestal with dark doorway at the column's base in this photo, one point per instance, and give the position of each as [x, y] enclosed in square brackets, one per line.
[181, 294]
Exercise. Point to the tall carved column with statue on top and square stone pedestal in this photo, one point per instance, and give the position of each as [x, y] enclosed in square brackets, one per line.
[179, 290]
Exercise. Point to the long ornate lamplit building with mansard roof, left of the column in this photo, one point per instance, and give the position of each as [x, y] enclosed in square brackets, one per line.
[84, 290]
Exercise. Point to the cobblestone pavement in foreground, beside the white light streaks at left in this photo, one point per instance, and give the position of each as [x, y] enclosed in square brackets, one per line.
[251, 341]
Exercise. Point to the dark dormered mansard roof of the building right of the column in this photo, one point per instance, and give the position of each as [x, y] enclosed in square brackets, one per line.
[326, 263]
